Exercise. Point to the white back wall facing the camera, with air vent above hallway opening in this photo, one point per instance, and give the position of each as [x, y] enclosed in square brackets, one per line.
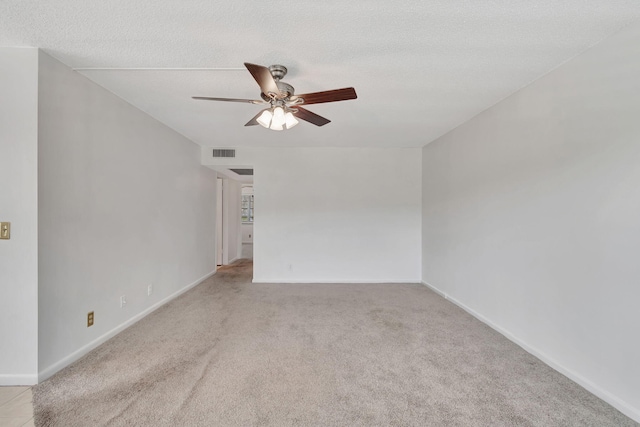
[334, 214]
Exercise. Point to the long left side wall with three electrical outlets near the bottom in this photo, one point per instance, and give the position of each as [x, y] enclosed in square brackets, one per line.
[123, 203]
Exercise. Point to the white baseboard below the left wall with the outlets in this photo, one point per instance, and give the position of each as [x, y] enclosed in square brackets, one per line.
[76, 355]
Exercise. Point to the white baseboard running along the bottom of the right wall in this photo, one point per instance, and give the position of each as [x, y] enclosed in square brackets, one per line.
[622, 406]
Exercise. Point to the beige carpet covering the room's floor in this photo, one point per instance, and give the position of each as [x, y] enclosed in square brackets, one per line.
[231, 353]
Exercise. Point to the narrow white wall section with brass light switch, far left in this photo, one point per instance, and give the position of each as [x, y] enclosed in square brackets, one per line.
[19, 205]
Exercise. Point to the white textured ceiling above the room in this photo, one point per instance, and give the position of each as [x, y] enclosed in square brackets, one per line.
[419, 68]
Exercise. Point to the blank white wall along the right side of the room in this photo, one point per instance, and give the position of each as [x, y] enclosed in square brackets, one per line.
[531, 218]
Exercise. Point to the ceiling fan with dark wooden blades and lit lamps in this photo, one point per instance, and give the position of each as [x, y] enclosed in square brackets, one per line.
[284, 104]
